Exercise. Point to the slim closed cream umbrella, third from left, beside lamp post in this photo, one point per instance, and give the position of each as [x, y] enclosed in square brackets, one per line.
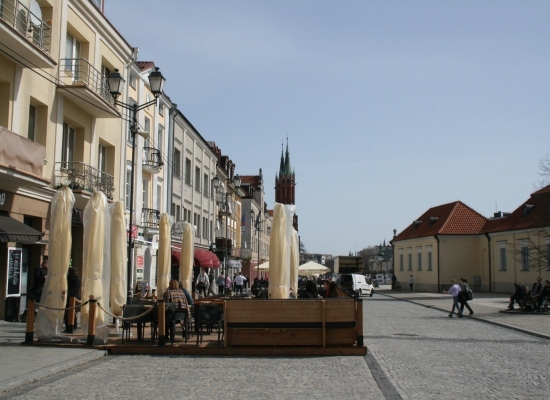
[118, 258]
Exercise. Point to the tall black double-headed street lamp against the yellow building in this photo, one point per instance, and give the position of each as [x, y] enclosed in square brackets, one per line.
[156, 81]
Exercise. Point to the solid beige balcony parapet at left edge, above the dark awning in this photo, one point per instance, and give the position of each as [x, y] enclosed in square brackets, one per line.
[21, 161]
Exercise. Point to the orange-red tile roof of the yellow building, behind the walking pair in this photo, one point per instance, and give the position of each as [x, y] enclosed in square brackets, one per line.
[448, 219]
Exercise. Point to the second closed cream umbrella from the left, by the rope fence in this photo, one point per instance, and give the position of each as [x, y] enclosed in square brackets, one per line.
[97, 231]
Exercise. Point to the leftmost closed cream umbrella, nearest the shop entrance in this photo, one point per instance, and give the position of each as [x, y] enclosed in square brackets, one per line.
[50, 322]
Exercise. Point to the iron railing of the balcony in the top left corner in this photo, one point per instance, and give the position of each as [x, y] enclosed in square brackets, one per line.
[26, 23]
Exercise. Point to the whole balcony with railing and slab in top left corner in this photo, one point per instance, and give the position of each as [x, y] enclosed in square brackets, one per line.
[24, 35]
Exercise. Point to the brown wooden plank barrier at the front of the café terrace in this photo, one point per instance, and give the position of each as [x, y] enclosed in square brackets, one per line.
[302, 322]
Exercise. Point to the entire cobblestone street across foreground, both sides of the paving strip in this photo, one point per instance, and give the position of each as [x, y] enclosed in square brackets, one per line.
[414, 352]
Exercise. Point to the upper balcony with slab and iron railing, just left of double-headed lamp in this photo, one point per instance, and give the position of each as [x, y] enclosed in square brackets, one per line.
[88, 88]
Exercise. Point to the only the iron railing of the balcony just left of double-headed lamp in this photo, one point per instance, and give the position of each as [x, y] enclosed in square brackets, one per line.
[79, 72]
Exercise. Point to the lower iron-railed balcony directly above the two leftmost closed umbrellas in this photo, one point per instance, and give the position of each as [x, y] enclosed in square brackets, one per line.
[83, 178]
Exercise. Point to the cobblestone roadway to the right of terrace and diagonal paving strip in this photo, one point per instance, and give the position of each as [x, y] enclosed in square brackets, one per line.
[424, 354]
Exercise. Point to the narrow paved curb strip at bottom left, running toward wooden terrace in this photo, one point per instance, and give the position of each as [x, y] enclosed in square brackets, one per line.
[50, 370]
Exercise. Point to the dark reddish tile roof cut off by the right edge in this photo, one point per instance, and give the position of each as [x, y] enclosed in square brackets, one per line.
[533, 213]
